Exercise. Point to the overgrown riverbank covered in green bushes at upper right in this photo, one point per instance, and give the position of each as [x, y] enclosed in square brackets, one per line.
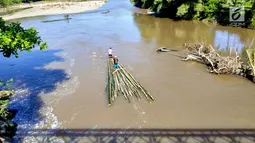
[209, 10]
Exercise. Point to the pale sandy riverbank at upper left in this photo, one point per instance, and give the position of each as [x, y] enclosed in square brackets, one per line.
[48, 8]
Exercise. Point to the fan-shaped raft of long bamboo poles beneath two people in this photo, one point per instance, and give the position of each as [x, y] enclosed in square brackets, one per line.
[120, 81]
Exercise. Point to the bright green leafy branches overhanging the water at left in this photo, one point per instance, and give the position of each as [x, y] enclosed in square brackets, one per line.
[14, 38]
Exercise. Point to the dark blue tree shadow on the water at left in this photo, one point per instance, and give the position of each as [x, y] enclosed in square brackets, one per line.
[31, 79]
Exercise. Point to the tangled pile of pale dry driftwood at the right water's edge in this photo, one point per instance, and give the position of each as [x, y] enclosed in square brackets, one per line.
[206, 54]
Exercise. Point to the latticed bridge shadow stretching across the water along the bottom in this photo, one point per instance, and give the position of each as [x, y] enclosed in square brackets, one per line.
[143, 135]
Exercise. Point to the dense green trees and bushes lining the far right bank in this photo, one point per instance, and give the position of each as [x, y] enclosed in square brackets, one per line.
[217, 10]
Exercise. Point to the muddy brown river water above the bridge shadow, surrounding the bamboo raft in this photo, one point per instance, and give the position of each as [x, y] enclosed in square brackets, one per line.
[64, 86]
